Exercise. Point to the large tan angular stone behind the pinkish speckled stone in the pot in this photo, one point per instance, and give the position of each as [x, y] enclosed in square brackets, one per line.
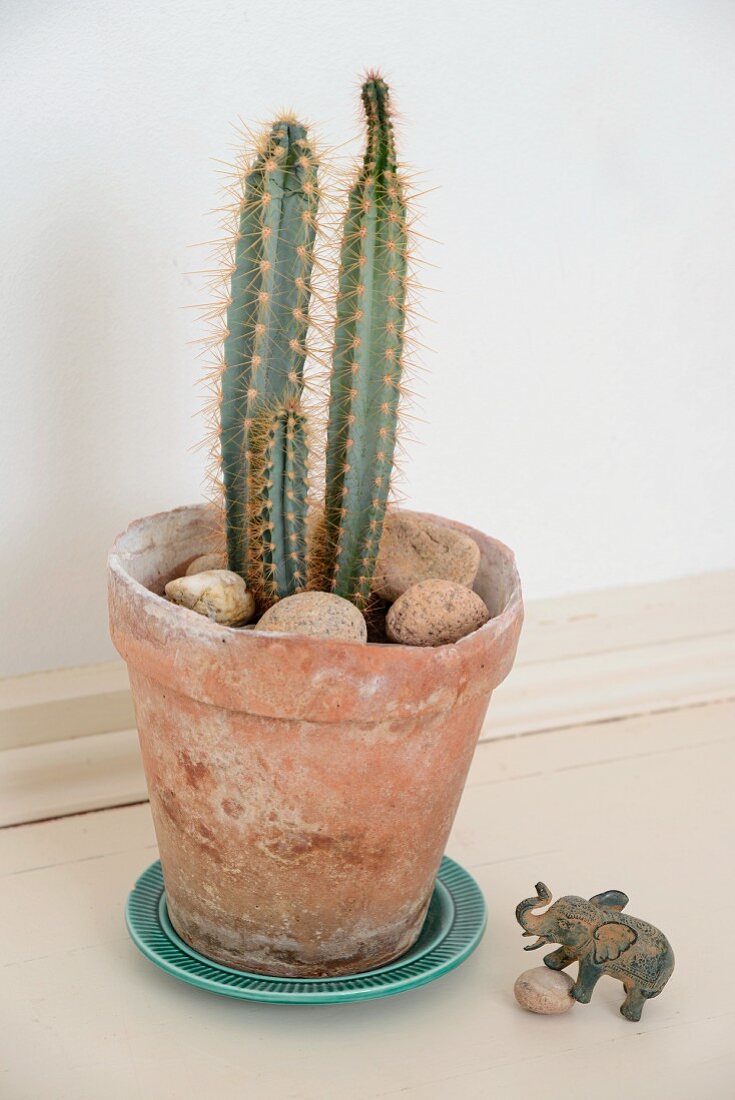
[414, 549]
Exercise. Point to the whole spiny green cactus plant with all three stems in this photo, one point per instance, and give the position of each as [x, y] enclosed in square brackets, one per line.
[264, 454]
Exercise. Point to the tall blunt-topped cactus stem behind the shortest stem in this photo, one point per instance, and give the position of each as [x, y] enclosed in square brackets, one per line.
[267, 320]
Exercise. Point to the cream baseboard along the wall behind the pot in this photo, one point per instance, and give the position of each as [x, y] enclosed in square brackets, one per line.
[69, 744]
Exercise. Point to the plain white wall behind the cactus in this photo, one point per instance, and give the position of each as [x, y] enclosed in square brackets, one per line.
[580, 402]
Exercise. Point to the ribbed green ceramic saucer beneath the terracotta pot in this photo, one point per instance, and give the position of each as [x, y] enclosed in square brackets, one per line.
[453, 930]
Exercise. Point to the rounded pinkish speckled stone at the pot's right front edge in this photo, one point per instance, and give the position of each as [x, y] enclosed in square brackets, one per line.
[435, 613]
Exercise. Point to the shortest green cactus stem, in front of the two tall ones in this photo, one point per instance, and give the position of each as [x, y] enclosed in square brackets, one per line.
[278, 494]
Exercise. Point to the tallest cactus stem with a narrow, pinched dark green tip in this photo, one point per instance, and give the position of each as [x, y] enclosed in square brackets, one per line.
[368, 360]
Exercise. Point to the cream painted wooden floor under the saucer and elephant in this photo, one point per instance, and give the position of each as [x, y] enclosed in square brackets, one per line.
[644, 805]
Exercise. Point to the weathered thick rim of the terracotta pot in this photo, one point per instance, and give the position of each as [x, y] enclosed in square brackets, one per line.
[297, 676]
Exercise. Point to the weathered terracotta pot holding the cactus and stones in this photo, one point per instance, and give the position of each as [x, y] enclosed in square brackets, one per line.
[302, 789]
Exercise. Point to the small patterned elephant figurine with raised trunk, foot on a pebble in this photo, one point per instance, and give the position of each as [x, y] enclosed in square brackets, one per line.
[604, 940]
